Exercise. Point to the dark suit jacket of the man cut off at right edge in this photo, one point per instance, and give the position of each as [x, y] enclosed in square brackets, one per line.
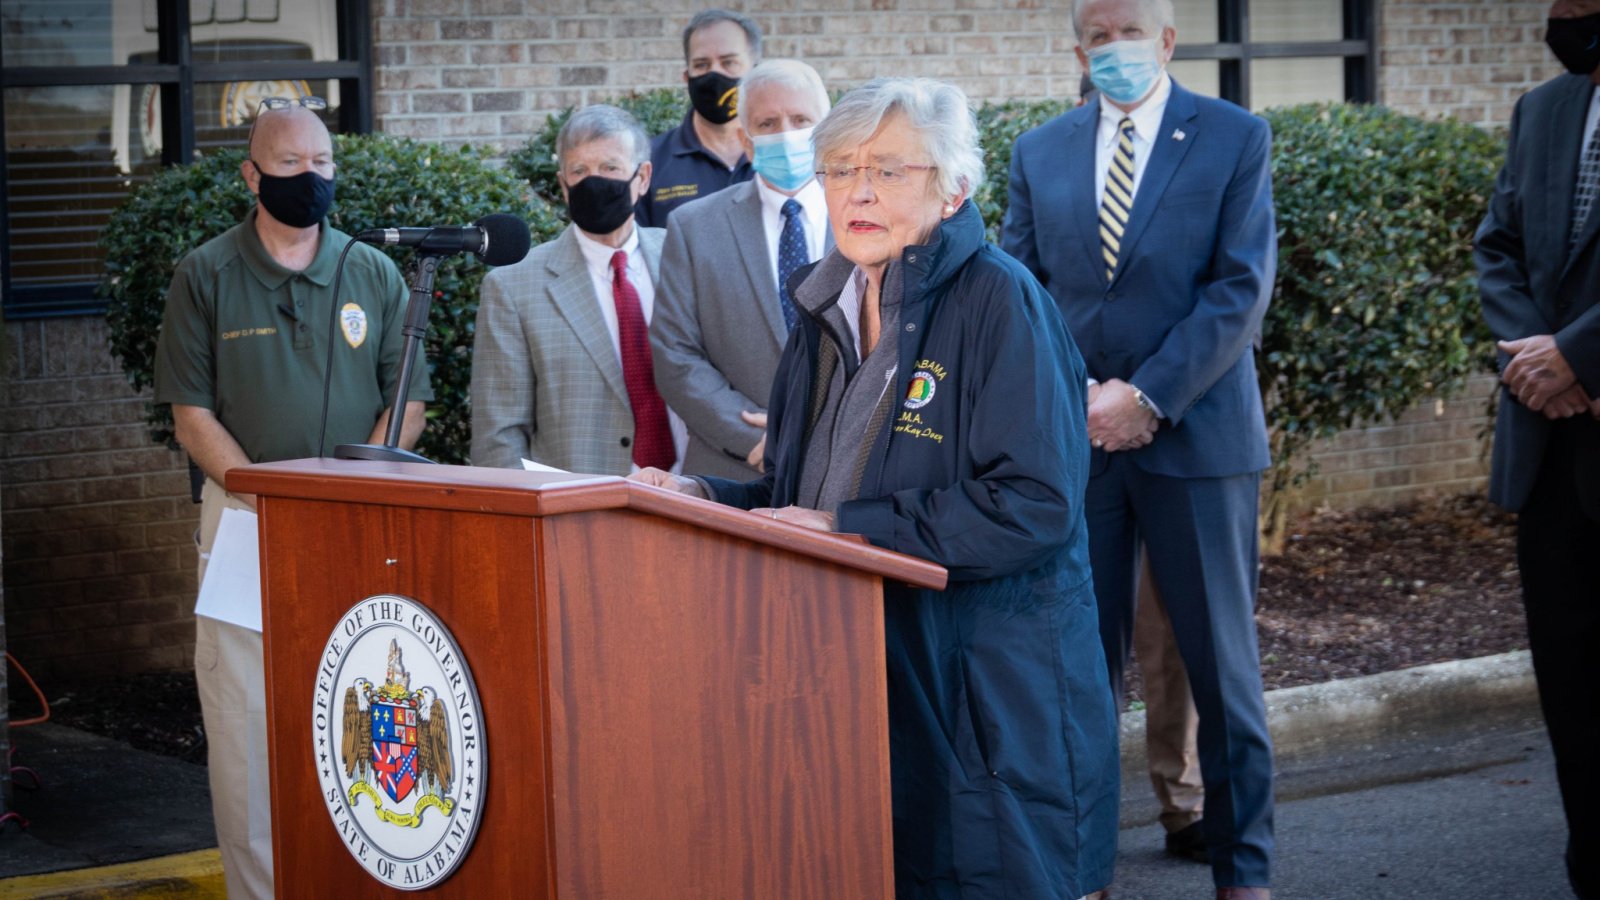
[1532, 286]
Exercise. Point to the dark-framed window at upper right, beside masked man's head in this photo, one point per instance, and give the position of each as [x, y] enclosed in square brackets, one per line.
[1263, 54]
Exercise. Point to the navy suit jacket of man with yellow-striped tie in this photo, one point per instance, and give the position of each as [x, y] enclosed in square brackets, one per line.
[1193, 283]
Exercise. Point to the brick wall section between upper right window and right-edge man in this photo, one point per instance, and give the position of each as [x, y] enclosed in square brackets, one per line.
[1466, 58]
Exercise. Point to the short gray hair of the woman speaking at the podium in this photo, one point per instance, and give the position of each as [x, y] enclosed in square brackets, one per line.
[937, 111]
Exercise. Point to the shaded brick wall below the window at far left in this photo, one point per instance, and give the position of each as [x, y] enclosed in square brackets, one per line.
[98, 524]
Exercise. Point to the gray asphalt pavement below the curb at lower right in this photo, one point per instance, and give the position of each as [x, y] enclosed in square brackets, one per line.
[1484, 821]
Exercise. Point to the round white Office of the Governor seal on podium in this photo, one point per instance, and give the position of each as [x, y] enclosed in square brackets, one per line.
[398, 737]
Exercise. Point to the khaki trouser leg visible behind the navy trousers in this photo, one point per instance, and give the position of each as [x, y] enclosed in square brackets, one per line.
[1170, 720]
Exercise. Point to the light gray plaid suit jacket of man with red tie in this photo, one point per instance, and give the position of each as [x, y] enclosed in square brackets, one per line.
[546, 382]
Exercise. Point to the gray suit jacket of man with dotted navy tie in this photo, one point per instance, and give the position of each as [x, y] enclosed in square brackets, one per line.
[718, 329]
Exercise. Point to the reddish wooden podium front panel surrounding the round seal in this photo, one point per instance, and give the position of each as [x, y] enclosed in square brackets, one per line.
[479, 576]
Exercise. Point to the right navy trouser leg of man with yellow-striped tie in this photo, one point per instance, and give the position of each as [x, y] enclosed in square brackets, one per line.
[1202, 540]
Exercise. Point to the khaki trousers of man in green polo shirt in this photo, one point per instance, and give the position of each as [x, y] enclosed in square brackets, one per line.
[233, 702]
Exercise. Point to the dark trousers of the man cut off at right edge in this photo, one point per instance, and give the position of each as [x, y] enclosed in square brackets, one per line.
[1561, 589]
